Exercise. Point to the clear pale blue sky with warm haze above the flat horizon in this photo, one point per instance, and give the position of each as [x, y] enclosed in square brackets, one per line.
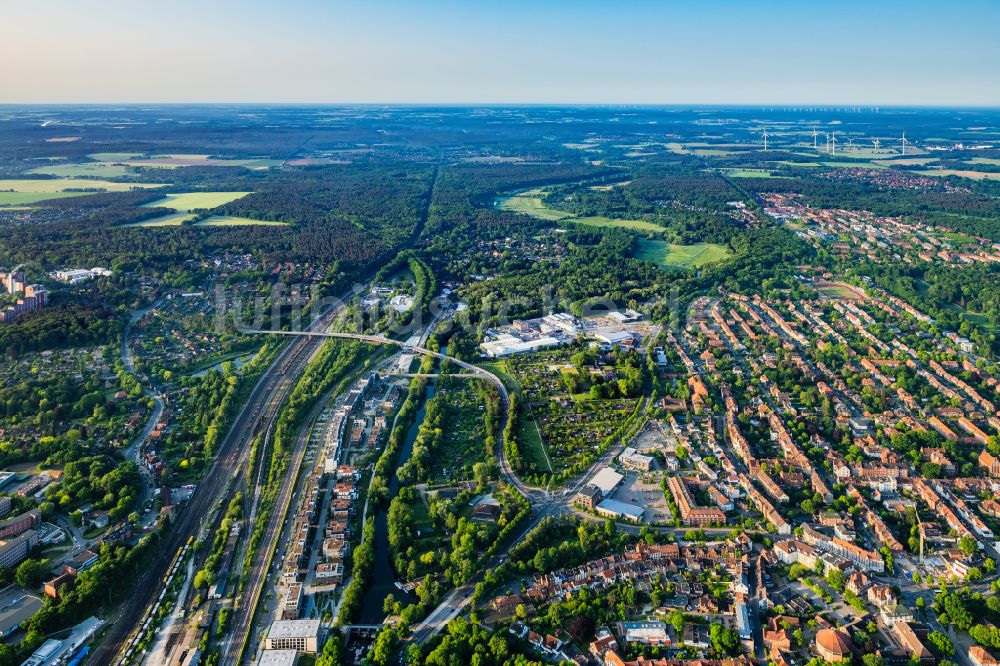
[877, 52]
